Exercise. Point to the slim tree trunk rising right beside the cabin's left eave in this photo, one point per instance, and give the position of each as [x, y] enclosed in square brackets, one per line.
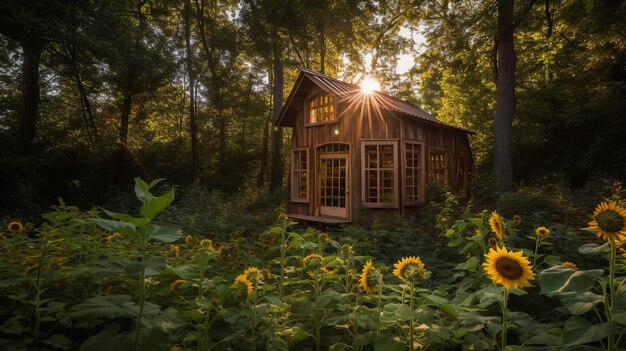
[278, 168]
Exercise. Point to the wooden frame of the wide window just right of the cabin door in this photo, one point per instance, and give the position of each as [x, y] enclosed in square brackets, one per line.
[364, 169]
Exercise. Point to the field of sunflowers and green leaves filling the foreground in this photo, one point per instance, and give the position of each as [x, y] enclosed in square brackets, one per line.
[102, 280]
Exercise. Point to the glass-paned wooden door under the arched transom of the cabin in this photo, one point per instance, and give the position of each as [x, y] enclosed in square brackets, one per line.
[334, 185]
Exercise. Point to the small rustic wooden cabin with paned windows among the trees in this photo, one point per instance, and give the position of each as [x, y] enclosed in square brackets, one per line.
[355, 153]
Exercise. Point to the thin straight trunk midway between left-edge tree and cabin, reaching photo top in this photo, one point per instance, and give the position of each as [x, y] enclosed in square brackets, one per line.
[193, 123]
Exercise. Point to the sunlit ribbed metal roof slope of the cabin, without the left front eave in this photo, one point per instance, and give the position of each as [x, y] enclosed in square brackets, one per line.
[387, 102]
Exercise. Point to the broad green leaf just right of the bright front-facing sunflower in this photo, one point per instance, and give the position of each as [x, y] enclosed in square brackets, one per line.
[562, 279]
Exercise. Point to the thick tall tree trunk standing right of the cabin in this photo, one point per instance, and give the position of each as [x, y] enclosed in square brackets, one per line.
[505, 100]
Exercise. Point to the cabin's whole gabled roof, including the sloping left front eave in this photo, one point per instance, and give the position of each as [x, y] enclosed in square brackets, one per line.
[346, 91]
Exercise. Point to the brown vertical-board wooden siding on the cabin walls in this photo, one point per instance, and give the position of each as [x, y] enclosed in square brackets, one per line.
[360, 123]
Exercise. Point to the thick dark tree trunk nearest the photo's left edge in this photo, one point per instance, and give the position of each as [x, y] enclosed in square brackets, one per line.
[31, 53]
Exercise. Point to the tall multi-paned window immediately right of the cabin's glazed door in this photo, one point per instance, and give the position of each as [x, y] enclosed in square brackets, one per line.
[379, 177]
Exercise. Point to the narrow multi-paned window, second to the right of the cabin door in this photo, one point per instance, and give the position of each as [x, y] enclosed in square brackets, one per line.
[413, 171]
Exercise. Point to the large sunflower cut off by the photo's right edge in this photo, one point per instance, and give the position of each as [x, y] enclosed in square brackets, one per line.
[609, 220]
